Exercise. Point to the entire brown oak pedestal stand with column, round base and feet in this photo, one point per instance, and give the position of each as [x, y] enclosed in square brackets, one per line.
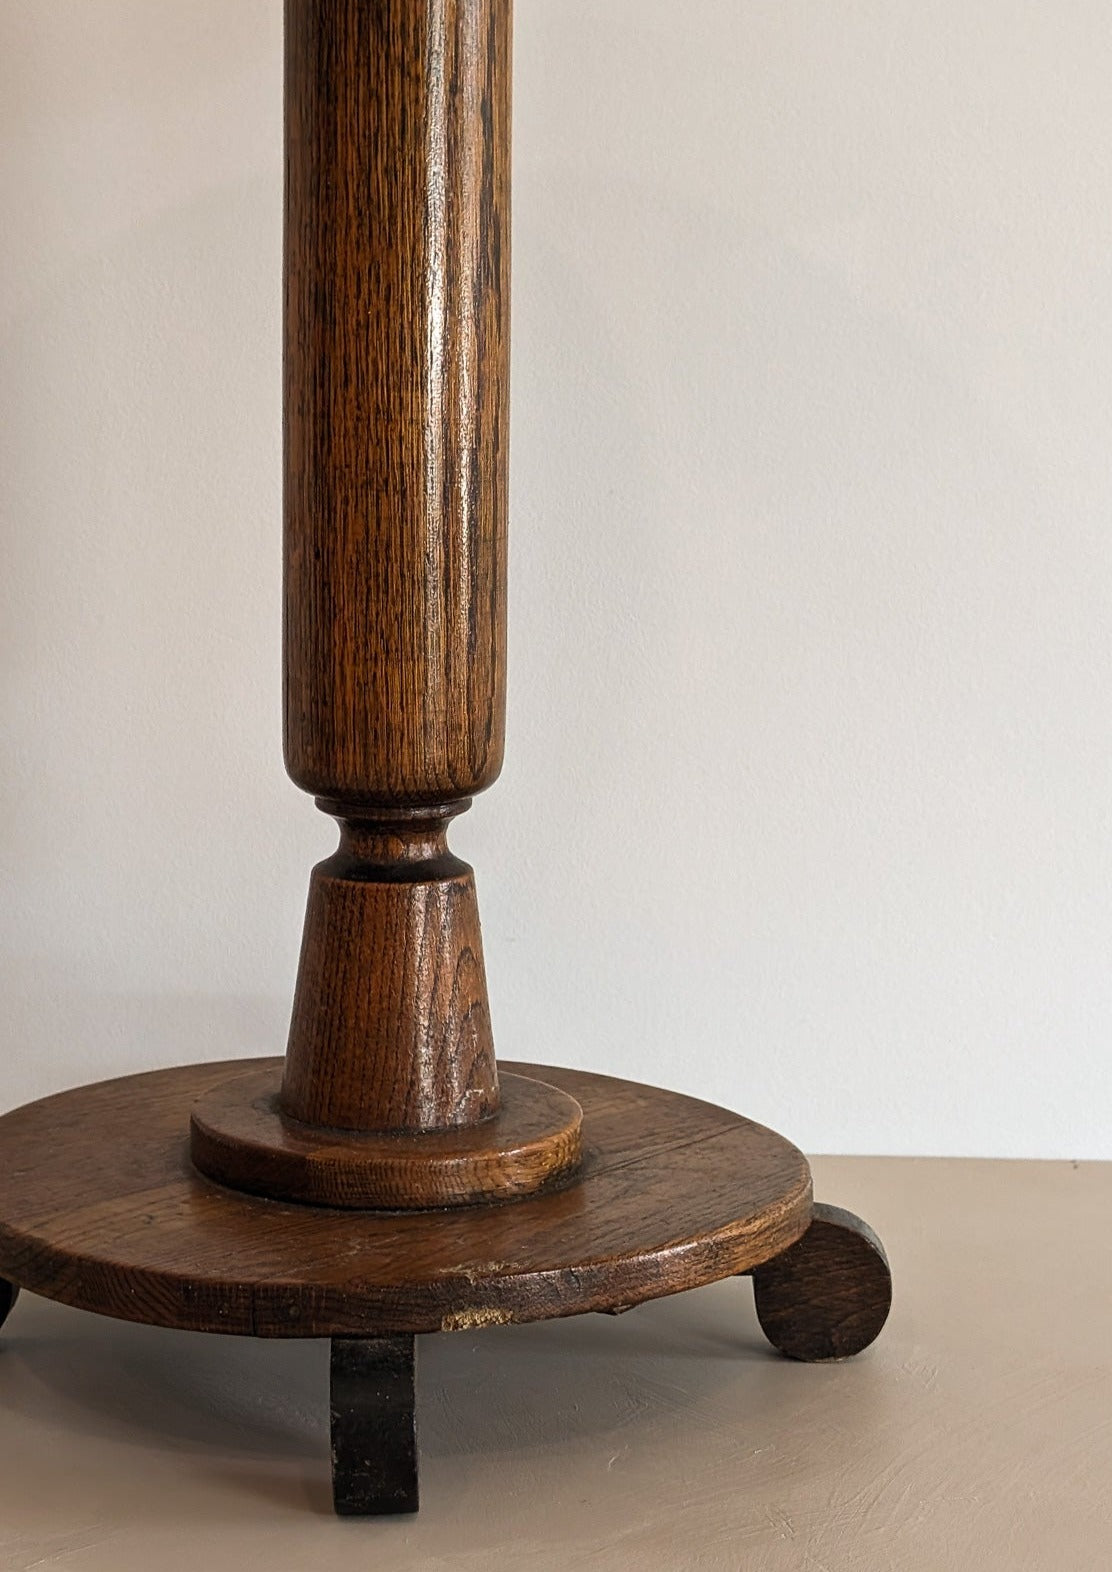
[386, 1180]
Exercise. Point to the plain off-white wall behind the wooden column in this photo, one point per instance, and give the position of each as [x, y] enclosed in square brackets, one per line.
[812, 559]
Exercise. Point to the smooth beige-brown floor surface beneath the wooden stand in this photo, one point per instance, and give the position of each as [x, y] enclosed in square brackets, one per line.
[976, 1434]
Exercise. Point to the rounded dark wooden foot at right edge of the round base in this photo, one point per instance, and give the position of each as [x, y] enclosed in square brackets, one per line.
[830, 1295]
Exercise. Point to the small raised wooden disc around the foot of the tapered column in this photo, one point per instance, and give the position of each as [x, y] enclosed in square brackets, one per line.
[241, 1137]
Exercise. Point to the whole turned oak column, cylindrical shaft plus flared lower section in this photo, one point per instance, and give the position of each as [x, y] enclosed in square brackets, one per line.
[396, 496]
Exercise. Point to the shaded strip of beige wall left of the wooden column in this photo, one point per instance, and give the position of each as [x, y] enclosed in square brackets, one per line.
[139, 537]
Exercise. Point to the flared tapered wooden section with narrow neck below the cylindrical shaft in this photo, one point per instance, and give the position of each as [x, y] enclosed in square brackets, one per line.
[391, 1027]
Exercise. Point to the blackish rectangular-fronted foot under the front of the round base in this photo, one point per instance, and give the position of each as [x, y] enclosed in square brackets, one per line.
[374, 1427]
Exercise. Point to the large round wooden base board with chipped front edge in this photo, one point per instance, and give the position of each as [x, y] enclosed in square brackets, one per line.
[101, 1208]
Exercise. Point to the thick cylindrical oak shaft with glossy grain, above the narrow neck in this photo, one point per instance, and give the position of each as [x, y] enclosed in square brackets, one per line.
[397, 397]
